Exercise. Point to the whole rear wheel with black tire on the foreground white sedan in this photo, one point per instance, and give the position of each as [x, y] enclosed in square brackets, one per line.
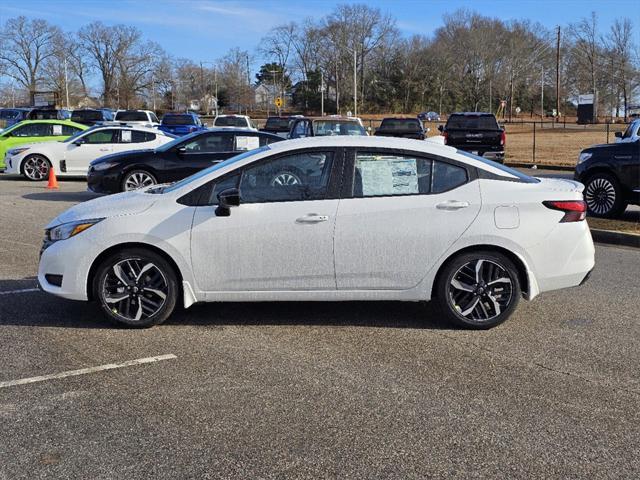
[478, 298]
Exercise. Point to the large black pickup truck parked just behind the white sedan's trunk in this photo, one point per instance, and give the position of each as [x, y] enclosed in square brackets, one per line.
[477, 133]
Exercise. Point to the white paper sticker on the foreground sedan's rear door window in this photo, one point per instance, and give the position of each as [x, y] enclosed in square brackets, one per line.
[388, 175]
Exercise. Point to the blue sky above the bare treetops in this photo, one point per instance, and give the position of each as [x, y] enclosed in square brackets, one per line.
[204, 30]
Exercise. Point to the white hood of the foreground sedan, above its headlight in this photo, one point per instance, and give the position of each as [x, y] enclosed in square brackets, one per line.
[118, 205]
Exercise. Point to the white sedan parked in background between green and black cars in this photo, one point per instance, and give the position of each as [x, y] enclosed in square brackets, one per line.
[72, 156]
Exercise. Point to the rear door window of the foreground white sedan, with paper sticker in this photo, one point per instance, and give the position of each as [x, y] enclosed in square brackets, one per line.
[382, 174]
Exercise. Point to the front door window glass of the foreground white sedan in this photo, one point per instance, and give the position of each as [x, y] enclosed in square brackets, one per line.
[303, 176]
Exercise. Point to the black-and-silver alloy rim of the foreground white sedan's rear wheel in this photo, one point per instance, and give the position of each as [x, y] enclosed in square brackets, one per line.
[480, 290]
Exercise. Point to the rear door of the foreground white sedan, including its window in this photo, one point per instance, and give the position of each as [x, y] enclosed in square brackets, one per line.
[399, 213]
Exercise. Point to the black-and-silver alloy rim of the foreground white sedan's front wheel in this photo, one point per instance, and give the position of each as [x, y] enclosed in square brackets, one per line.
[134, 289]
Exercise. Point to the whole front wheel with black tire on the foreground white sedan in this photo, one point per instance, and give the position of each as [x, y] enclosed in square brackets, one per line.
[136, 287]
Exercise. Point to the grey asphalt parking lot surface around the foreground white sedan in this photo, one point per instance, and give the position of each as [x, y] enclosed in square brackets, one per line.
[314, 390]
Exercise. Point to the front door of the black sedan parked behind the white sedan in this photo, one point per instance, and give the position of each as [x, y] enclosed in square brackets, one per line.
[198, 153]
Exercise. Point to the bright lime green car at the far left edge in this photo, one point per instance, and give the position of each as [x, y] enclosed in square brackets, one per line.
[34, 131]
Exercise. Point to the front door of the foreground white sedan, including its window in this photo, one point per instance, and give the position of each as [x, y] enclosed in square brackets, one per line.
[280, 237]
